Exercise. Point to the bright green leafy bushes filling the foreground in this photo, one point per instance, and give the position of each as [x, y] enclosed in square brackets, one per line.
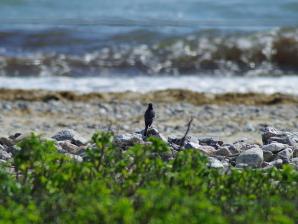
[139, 185]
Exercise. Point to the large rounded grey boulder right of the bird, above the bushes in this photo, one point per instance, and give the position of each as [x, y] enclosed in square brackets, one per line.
[252, 157]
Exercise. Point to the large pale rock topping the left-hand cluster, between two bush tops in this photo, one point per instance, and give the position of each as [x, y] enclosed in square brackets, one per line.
[71, 135]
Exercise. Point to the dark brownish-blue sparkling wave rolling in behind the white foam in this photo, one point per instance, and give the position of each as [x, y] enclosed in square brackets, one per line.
[65, 53]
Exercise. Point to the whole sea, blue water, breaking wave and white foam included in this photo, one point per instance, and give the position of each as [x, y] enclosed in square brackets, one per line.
[214, 46]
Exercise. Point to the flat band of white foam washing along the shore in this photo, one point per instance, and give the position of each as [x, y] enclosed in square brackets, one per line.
[285, 84]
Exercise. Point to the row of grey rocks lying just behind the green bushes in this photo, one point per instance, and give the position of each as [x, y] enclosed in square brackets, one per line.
[277, 148]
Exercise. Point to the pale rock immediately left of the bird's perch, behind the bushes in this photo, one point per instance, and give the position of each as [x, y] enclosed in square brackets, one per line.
[126, 140]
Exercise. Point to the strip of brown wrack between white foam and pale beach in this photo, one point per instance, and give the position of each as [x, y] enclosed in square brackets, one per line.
[160, 96]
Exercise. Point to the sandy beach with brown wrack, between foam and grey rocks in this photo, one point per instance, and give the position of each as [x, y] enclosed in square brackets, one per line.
[227, 116]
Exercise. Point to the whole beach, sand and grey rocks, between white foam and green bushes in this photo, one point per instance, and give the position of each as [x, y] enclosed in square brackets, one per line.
[231, 129]
